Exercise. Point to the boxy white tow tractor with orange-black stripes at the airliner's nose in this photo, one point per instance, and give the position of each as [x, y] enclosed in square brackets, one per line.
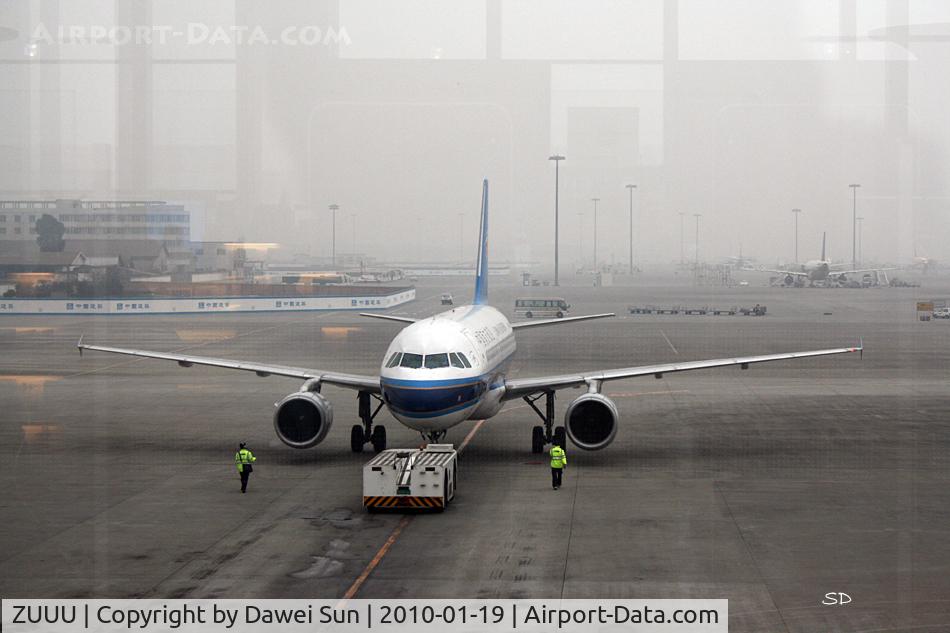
[424, 479]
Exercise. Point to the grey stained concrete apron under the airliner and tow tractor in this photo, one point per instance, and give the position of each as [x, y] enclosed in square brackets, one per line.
[770, 487]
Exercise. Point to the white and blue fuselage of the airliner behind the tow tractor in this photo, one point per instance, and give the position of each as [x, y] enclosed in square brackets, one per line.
[450, 367]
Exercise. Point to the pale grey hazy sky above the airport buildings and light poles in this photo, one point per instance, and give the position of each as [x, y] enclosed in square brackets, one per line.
[736, 111]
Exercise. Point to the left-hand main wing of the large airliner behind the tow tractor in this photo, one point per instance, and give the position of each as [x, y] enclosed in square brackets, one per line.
[351, 381]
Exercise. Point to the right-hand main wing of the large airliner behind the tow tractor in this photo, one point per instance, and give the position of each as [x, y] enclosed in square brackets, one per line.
[519, 387]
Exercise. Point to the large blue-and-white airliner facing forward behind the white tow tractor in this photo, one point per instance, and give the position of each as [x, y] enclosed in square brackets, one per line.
[451, 367]
